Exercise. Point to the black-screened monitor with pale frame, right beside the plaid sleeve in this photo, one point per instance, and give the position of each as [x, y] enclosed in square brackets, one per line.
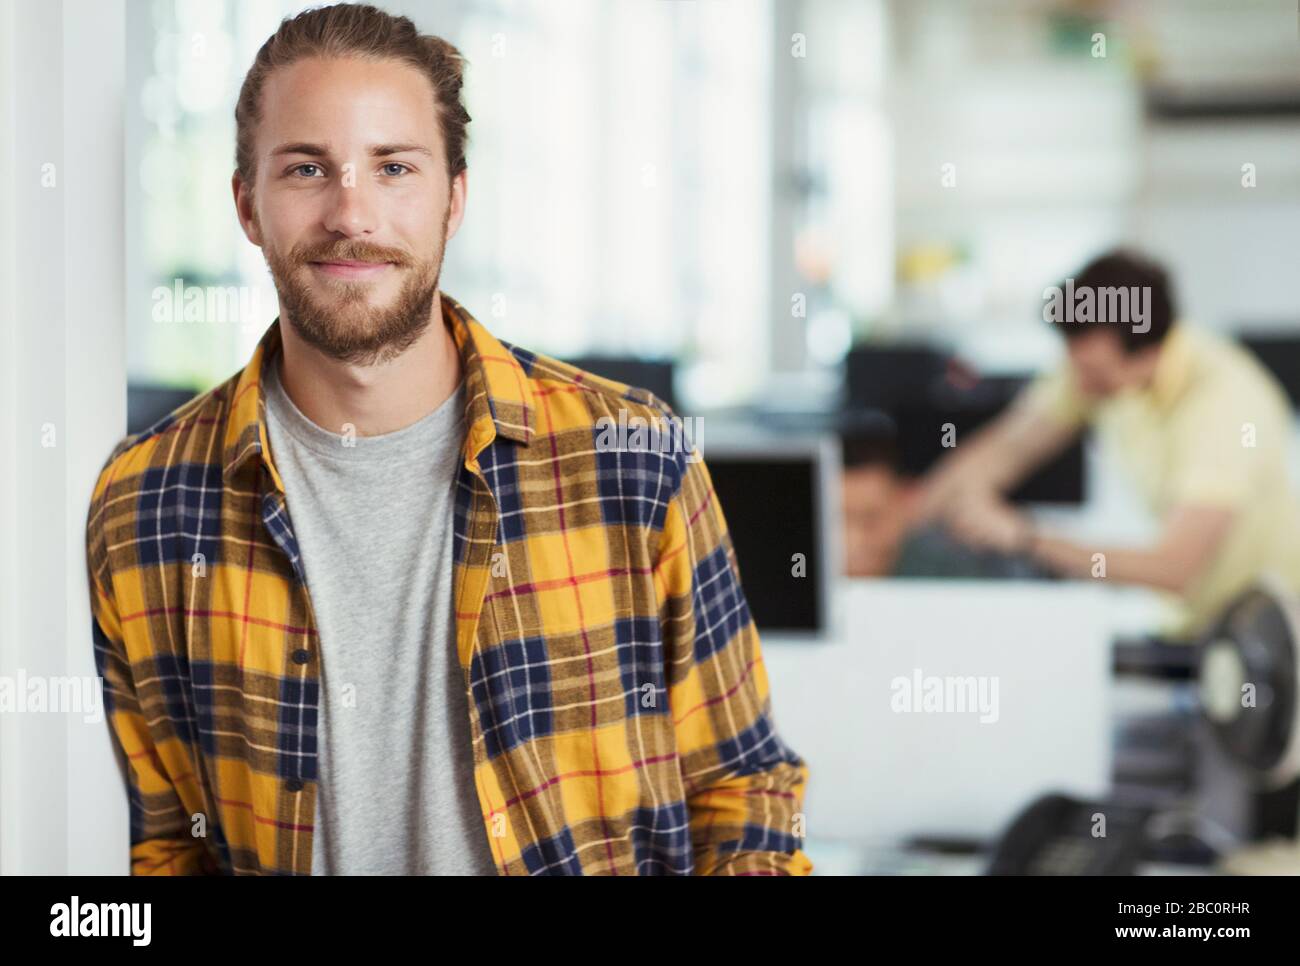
[781, 500]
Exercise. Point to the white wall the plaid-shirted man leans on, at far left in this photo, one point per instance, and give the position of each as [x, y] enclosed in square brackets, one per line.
[63, 392]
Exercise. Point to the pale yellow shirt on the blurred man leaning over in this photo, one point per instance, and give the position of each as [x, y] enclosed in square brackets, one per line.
[1212, 430]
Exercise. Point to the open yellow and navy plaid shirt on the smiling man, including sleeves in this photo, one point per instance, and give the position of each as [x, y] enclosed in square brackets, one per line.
[618, 699]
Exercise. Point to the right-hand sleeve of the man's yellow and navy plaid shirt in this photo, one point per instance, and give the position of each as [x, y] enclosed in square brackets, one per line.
[744, 785]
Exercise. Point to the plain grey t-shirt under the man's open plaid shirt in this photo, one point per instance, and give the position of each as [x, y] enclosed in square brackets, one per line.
[374, 522]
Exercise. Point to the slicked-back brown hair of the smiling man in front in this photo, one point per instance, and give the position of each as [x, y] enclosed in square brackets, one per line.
[356, 31]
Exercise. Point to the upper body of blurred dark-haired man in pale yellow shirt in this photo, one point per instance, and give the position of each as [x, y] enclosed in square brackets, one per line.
[1202, 430]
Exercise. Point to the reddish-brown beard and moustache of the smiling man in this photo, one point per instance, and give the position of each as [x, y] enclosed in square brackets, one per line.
[348, 328]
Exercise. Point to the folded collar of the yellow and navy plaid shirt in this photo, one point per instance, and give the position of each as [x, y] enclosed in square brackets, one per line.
[499, 398]
